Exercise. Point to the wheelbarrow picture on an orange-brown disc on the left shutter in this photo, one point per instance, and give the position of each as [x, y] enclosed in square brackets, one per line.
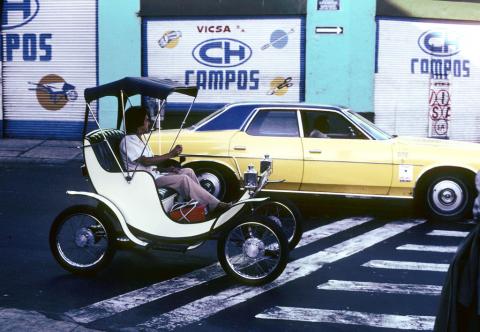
[53, 92]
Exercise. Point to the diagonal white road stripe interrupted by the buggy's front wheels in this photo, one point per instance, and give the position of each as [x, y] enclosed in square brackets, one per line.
[165, 288]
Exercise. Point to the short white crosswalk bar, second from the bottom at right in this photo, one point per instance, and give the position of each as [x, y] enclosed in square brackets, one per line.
[373, 287]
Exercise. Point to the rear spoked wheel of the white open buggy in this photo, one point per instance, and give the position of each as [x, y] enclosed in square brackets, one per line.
[89, 234]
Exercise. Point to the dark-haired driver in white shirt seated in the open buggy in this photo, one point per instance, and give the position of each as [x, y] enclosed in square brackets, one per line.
[137, 155]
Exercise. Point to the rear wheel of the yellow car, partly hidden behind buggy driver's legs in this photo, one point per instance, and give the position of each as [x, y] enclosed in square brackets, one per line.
[217, 182]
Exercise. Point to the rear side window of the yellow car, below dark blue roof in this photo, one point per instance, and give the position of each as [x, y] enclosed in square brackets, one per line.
[281, 123]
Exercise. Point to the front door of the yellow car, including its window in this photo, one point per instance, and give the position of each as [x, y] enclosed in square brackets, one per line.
[343, 159]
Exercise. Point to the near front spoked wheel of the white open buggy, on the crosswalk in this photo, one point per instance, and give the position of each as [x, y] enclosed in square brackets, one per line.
[259, 244]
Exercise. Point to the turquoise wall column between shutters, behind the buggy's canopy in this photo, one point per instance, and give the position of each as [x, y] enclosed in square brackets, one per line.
[119, 48]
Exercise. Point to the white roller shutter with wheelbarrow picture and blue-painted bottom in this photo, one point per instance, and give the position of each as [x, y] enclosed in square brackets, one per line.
[49, 57]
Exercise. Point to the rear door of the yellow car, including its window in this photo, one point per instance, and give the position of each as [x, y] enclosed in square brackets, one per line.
[276, 132]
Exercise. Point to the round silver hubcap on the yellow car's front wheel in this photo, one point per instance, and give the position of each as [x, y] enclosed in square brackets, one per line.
[447, 195]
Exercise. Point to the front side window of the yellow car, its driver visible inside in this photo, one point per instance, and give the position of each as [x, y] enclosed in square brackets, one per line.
[323, 124]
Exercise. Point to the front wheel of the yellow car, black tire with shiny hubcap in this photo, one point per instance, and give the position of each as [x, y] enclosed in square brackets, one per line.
[448, 197]
